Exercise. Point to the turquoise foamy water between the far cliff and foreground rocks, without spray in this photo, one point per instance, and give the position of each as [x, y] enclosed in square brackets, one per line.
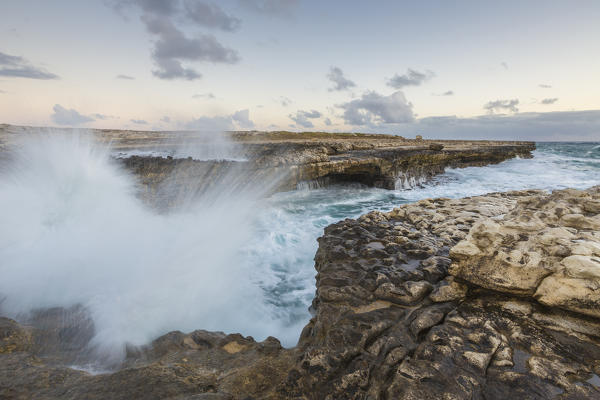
[280, 257]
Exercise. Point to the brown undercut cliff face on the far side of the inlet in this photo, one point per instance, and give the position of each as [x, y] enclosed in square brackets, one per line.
[286, 165]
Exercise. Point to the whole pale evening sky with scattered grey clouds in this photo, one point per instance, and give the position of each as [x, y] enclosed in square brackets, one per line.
[524, 70]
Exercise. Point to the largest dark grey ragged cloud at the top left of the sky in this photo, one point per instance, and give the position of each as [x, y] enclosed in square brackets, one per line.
[172, 48]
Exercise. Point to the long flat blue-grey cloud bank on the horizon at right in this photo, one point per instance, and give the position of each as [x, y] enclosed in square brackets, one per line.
[550, 126]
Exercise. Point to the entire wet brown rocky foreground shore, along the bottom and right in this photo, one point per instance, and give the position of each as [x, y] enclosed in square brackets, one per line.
[488, 297]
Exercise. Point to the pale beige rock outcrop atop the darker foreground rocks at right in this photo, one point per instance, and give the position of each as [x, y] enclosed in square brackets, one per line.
[547, 247]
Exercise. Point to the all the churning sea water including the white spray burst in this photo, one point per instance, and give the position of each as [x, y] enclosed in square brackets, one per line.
[73, 232]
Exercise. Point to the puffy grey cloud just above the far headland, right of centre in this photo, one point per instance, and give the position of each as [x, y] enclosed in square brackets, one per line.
[373, 108]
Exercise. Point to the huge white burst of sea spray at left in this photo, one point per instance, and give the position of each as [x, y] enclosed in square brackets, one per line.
[73, 232]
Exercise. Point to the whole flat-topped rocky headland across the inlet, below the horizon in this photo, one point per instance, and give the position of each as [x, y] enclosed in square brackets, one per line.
[285, 160]
